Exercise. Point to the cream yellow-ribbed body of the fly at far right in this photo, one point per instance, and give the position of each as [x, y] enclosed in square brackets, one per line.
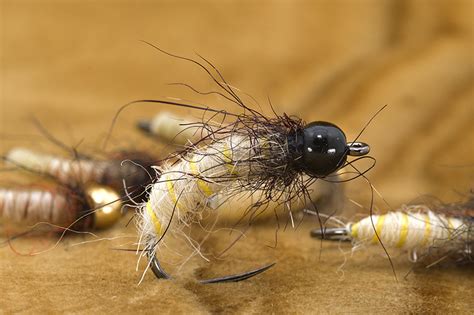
[409, 230]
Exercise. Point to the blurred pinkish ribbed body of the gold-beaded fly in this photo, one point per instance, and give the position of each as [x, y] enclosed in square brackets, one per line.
[35, 206]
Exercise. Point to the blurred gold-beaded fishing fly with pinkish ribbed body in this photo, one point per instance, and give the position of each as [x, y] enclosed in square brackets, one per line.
[95, 207]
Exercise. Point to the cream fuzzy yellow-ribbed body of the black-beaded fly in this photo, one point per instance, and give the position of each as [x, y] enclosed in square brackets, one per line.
[187, 187]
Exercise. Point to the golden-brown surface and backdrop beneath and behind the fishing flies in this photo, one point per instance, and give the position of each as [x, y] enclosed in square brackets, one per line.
[71, 65]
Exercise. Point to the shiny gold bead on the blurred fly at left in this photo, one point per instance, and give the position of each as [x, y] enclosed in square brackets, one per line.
[109, 214]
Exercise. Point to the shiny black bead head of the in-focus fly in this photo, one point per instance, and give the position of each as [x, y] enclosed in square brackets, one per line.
[324, 148]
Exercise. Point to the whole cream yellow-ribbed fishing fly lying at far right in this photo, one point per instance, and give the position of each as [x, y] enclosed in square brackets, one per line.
[421, 231]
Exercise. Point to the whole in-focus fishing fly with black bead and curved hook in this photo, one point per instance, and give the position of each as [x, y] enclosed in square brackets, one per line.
[279, 156]
